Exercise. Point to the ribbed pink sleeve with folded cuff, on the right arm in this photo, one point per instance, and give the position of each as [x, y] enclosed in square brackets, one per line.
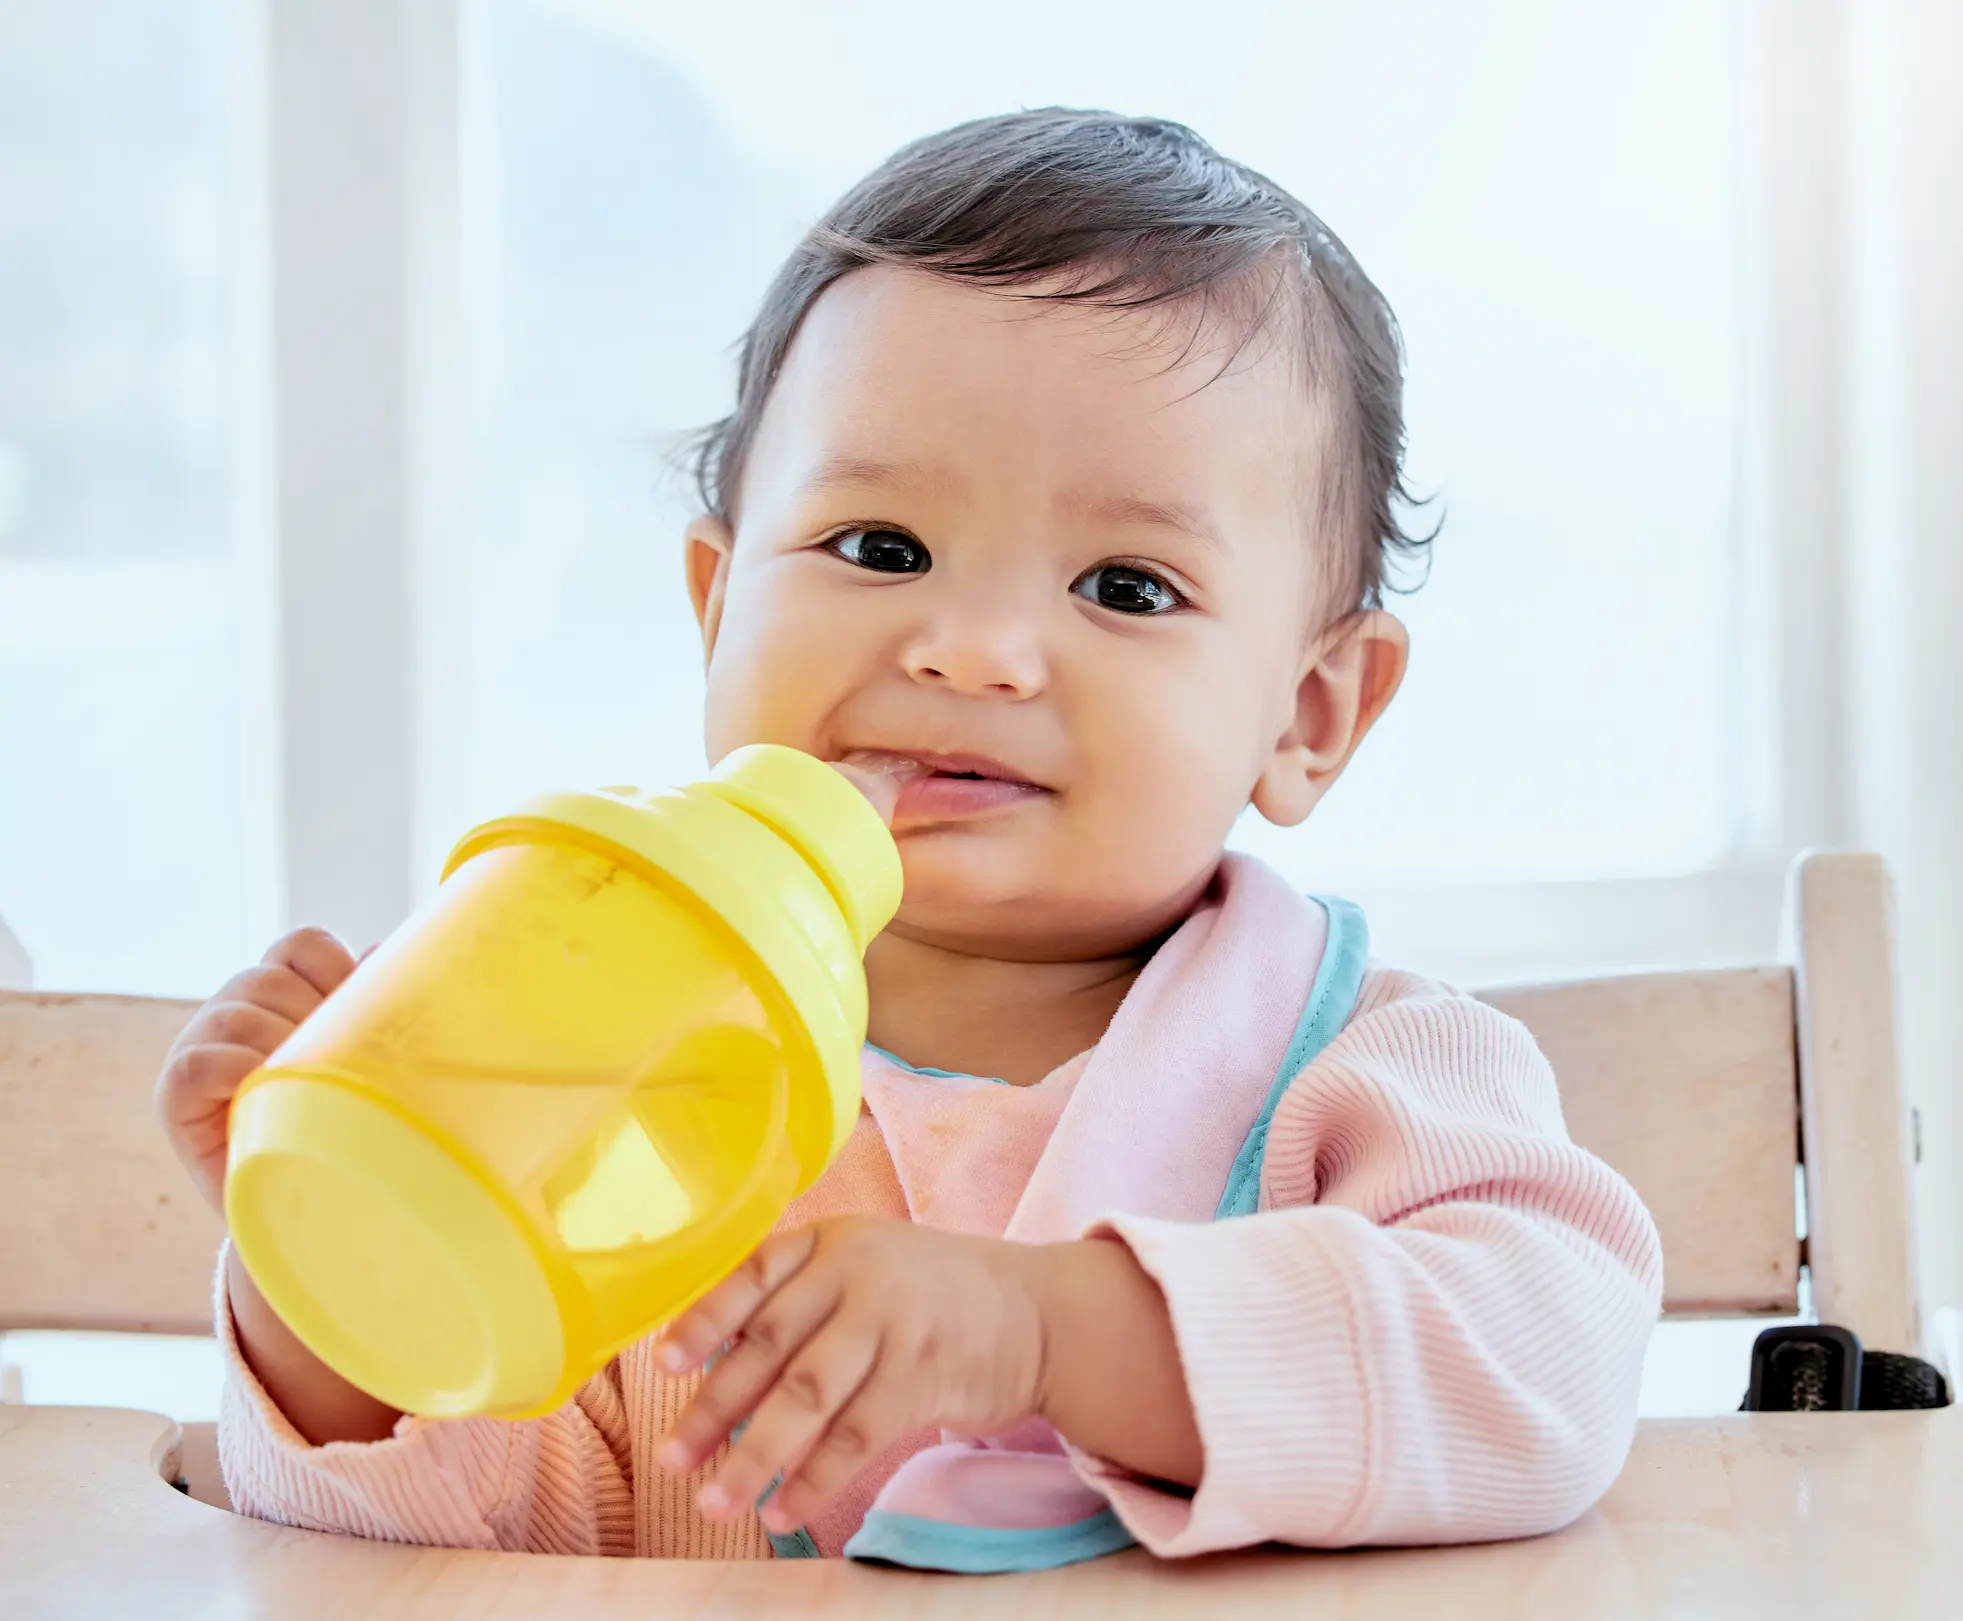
[1434, 1330]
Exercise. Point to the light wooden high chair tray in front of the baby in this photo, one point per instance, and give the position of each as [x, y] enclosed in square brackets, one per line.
[1752, 1516]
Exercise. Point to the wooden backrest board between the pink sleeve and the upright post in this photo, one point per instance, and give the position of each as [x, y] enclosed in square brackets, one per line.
[1685, 1084]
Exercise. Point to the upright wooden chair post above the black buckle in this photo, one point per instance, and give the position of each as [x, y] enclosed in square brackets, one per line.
[1858, 1200]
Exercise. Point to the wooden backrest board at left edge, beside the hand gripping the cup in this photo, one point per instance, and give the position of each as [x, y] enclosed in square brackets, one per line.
[99, 1224]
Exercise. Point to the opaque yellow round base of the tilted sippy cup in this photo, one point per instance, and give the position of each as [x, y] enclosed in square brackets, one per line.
[388, 1257]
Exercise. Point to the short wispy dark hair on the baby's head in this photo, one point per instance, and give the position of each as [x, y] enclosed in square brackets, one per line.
[1116, 213]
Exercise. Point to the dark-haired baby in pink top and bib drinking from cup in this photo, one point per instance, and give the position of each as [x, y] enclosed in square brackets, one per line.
[1065, 464]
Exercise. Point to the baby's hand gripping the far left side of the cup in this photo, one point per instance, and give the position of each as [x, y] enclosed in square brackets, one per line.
[231, 1037]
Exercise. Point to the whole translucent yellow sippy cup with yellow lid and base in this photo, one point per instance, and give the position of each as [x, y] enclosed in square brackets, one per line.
[574, 1090]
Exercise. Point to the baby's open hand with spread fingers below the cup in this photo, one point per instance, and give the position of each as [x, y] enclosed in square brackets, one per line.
[849, 1335]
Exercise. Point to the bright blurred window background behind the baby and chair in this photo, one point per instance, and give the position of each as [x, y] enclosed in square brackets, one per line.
[345, 350]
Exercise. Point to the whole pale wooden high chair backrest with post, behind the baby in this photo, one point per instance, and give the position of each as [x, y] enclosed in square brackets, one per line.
[1701, 1088]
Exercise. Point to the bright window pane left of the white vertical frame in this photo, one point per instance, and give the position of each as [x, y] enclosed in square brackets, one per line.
[136, 821]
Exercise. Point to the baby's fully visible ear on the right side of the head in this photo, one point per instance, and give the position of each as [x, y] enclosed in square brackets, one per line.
[1350, 676]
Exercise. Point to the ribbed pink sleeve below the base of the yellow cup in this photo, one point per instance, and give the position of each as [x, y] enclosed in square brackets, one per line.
[558, 1485]
